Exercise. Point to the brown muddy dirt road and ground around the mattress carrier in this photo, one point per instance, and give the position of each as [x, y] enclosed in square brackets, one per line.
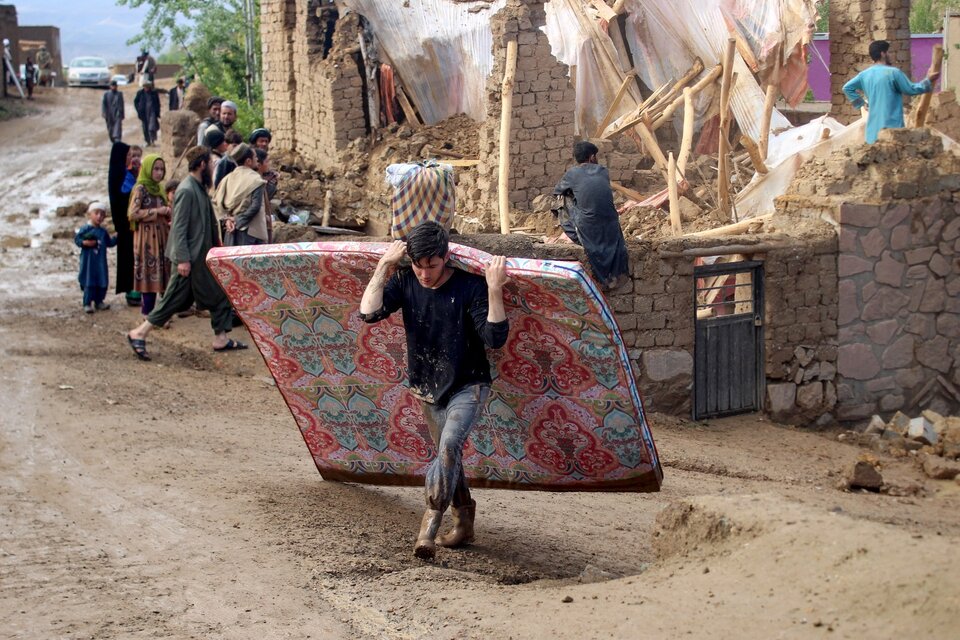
[175, 499]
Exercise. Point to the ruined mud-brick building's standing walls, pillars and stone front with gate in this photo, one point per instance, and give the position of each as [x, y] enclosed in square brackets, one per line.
[842, 307]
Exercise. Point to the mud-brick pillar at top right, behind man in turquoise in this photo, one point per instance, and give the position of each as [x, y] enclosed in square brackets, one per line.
[854, 24]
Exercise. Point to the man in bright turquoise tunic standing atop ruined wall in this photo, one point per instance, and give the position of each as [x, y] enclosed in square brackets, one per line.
[883, 85]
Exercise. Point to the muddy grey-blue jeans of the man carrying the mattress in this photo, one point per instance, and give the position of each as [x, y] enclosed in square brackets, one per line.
[449, 427]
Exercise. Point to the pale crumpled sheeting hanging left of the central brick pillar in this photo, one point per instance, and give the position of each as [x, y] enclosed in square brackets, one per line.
[442, 52]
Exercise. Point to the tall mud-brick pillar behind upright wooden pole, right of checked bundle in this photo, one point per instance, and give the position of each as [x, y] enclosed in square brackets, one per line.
[542, 130]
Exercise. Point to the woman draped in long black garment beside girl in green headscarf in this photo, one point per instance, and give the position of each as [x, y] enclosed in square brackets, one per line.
[121, 176]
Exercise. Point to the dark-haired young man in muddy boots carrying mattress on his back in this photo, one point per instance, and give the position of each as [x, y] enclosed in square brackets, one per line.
[449, 316]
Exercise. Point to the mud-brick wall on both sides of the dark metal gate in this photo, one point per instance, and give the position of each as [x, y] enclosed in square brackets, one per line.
[655, 313]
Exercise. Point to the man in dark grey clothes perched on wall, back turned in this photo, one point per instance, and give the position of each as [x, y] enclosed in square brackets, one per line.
[593, 221]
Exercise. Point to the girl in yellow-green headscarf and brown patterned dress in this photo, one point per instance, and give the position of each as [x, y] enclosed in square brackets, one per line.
[150, 216]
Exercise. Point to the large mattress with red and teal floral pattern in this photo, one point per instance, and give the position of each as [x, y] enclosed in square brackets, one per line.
[564, 412]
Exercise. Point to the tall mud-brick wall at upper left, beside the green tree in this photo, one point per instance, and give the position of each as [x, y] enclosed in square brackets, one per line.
[313, 86]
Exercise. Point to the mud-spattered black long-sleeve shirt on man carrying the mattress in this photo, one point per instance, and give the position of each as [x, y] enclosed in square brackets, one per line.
[446, 329]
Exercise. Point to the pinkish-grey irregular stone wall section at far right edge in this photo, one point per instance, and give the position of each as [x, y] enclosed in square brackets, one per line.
[899, 311]
